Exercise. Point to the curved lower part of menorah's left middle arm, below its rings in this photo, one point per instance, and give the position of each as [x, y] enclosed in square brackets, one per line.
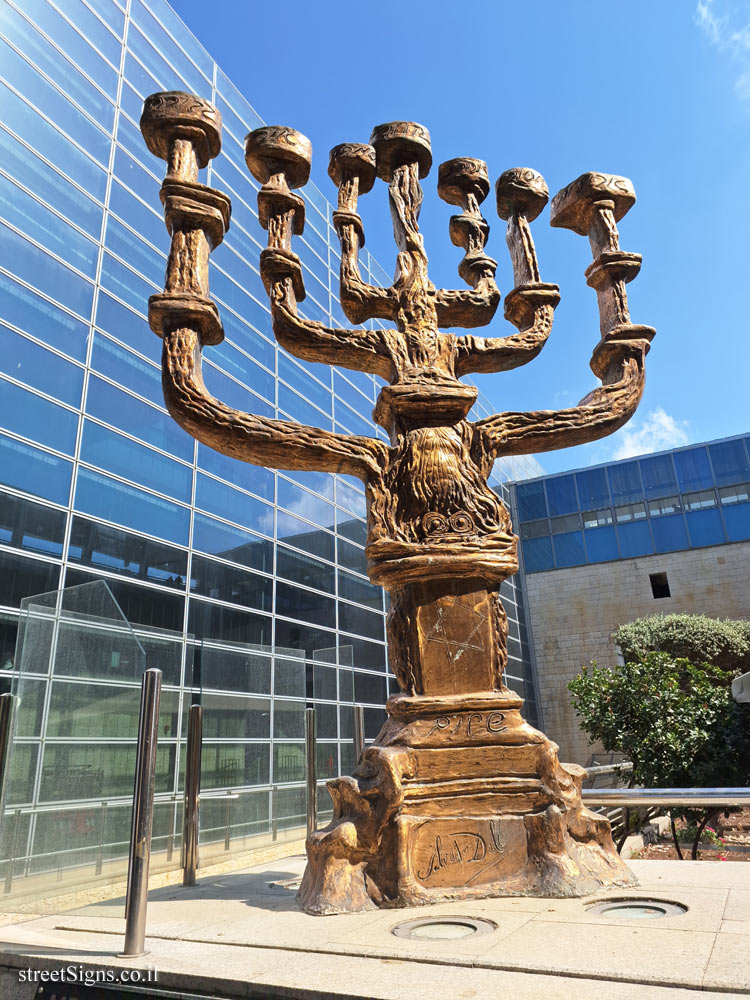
[361, 350]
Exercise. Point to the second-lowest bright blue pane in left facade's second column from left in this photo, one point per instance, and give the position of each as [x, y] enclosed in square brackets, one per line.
[115, 453]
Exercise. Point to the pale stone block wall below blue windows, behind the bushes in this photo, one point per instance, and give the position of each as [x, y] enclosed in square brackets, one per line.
[574, 611]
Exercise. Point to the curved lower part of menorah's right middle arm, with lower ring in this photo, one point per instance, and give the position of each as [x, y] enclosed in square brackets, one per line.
[531, 308]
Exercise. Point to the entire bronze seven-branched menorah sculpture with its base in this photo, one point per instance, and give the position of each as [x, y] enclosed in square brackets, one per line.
[458, 797]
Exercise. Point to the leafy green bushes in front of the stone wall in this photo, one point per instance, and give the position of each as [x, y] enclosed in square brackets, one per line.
[672, 713]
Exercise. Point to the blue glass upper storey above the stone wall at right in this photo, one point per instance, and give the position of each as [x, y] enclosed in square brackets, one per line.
[688, 498]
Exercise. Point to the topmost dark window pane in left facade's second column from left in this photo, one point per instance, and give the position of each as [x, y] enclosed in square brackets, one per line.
[102, 546]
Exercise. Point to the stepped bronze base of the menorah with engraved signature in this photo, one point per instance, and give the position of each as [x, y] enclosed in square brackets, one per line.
[457, 799]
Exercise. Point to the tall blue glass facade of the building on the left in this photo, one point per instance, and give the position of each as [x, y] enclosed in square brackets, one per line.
[96, 480]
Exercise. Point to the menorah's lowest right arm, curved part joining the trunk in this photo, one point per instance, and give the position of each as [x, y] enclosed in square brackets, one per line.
[598, 414]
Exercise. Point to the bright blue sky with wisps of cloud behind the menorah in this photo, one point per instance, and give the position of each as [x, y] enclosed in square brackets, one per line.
[659, 92]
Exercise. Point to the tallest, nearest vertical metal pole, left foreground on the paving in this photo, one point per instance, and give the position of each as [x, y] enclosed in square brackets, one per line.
[143, 816]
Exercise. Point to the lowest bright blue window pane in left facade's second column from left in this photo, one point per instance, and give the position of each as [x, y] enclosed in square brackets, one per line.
[113, 501]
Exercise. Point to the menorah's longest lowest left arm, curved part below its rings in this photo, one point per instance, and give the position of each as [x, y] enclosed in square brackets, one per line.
[260, 440]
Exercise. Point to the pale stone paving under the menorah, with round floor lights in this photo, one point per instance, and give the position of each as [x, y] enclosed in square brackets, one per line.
[238, 928]
